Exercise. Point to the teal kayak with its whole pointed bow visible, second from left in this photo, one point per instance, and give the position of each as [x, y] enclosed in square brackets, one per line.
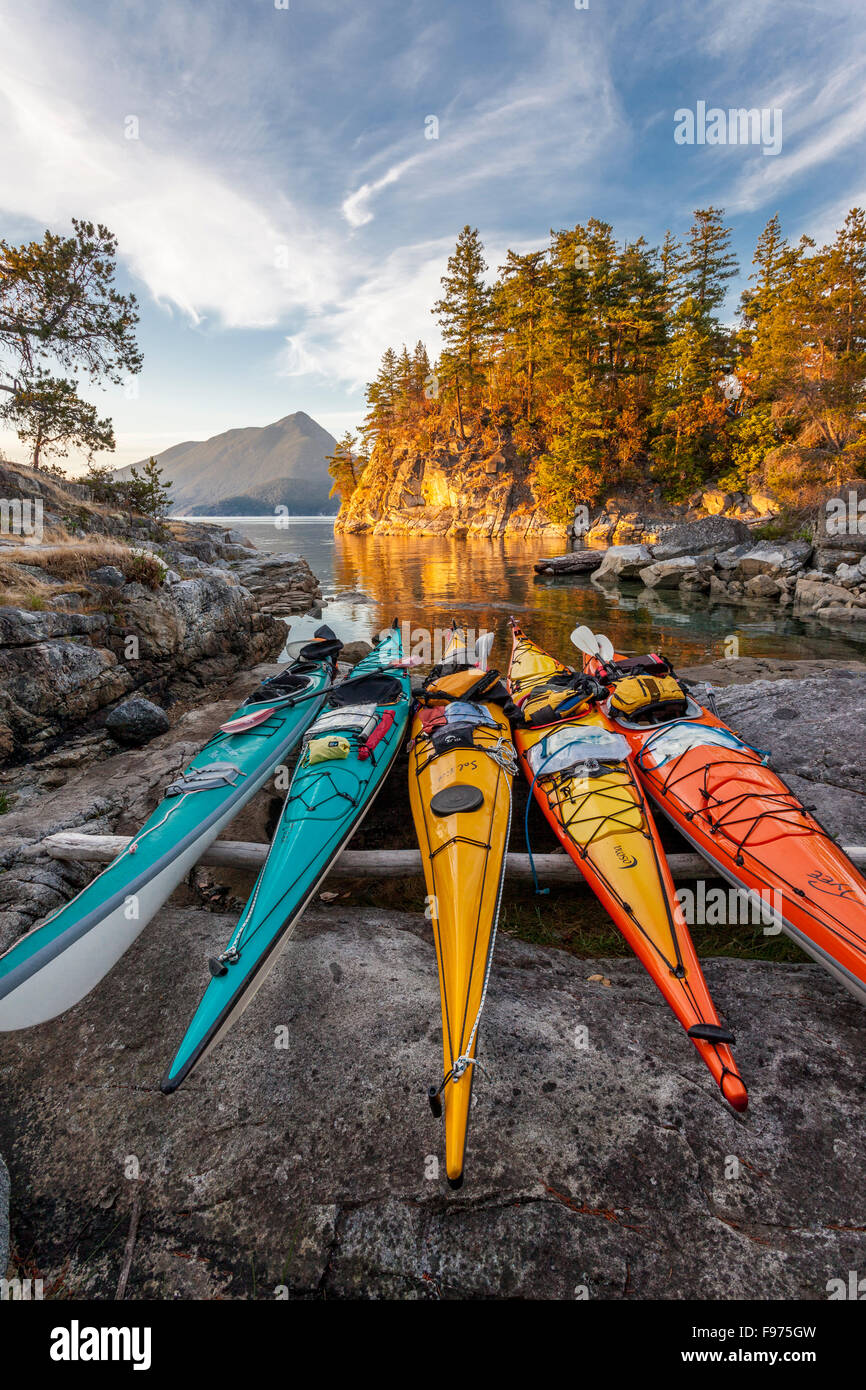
[347, 757]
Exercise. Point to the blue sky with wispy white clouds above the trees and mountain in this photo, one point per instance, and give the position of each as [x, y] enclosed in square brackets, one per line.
[287, 177]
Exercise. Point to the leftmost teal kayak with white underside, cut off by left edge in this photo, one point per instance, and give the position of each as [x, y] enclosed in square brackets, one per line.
[60, 961]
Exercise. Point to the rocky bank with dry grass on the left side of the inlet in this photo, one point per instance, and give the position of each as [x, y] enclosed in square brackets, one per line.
[123, 608]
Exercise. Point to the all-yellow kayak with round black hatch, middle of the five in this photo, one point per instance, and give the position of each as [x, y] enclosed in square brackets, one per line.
[461, 769]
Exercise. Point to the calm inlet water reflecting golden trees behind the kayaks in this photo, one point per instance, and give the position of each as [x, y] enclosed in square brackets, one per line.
[427, 582]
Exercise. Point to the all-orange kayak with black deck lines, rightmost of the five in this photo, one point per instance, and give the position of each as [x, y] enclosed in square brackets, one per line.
[725, 800]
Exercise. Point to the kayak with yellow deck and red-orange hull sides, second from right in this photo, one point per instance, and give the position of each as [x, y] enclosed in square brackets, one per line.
[587, 789]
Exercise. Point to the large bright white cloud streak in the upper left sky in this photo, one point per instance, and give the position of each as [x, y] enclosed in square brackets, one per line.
[197, 240]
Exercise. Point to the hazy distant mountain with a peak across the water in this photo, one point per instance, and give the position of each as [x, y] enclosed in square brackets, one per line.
[251, 472]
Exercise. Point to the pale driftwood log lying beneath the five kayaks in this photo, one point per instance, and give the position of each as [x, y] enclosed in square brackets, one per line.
[77, 847]
